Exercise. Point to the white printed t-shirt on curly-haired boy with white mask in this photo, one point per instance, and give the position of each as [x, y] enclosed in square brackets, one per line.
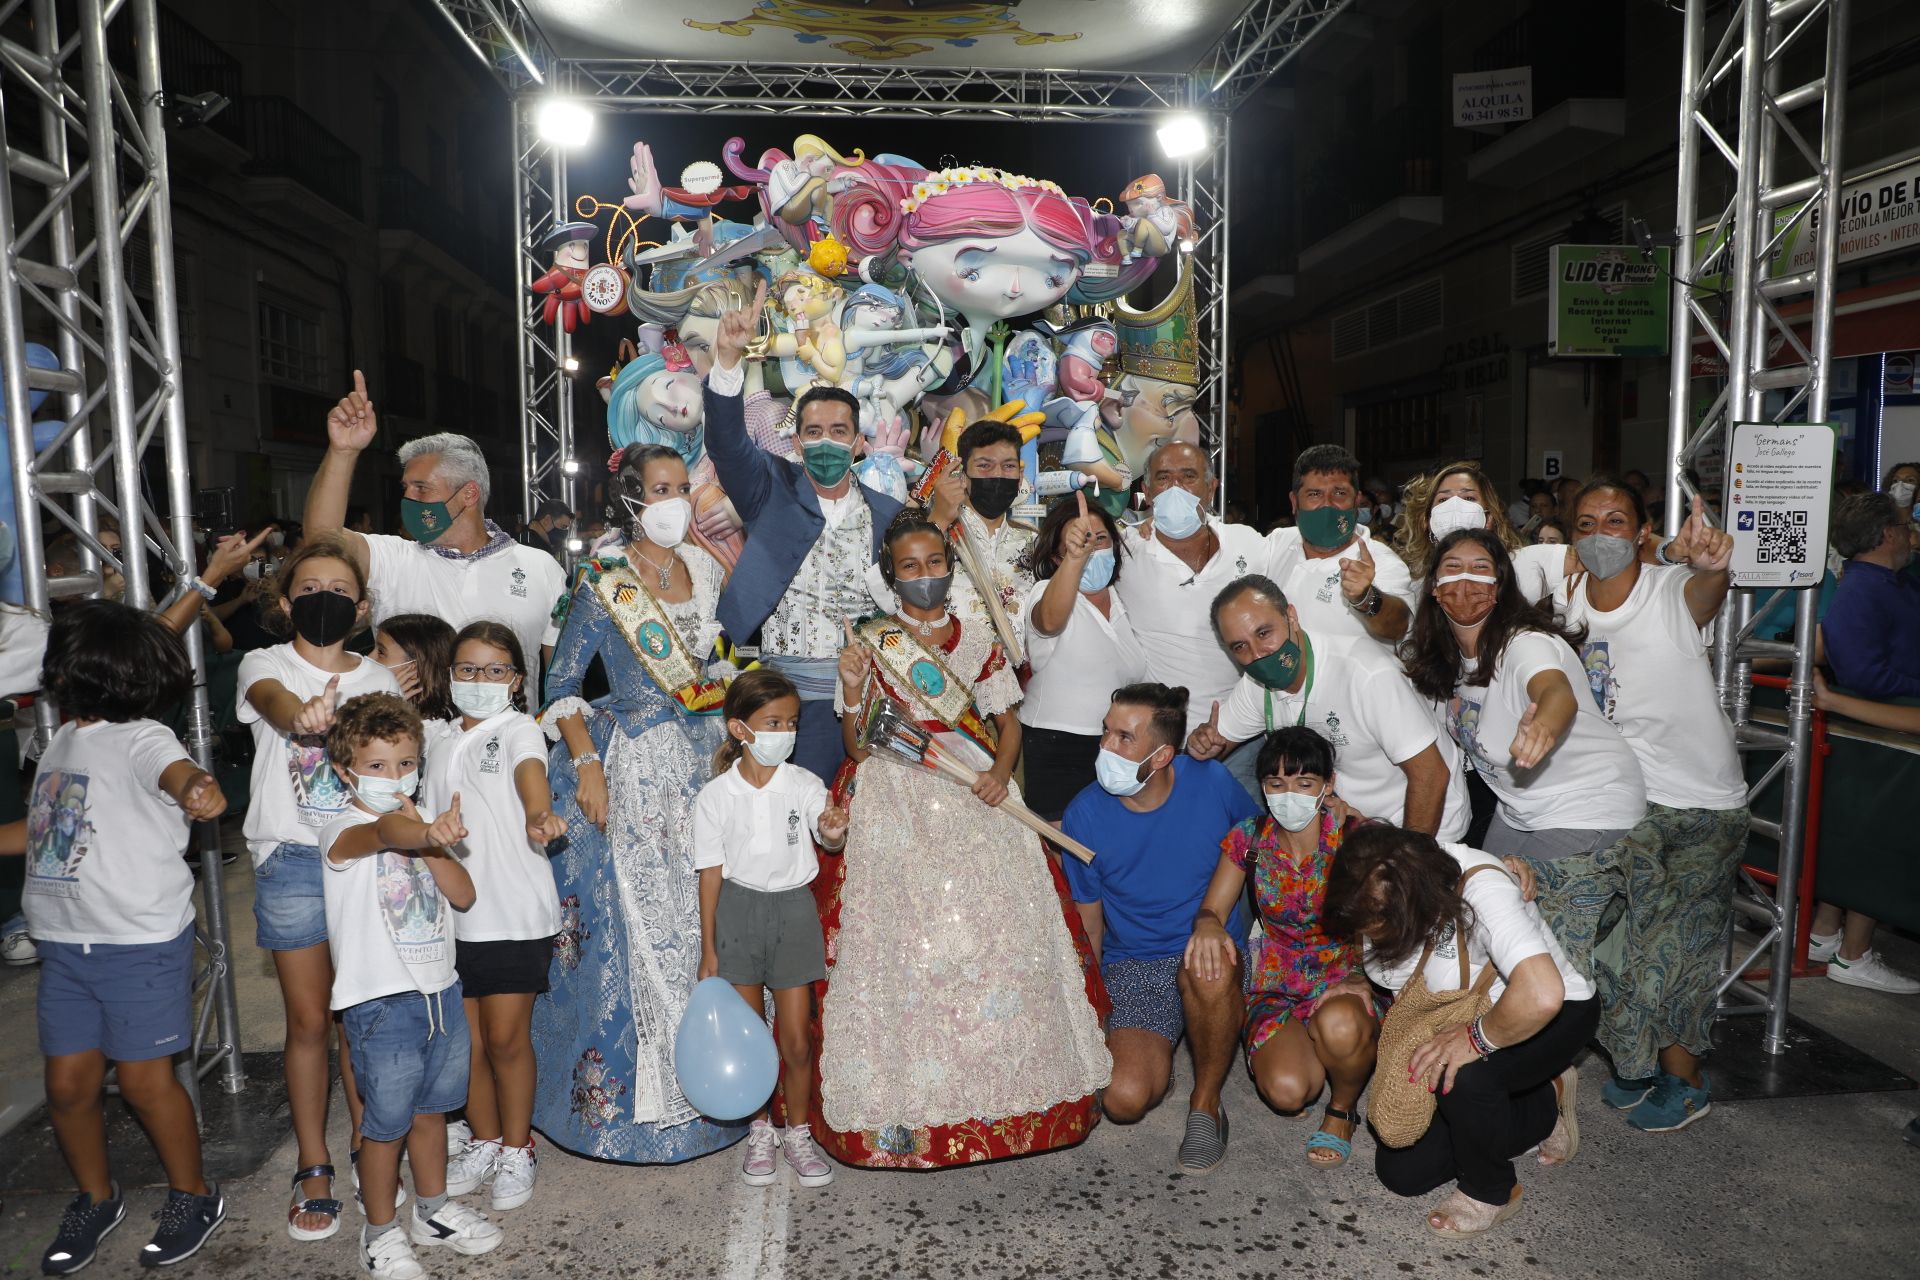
[389, 926]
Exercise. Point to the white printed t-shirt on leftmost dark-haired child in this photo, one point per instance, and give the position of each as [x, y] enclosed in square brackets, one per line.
[105, 845]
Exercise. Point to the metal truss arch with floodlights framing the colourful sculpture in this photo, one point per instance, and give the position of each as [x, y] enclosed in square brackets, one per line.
[1264, 37]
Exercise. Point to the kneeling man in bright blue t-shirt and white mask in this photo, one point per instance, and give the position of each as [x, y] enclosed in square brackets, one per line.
[1157, 820]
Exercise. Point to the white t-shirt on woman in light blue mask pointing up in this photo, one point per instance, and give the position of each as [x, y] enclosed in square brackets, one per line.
[1076, 673]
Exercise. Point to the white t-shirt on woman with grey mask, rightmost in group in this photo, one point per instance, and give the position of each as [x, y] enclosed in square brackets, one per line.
[1646, 669]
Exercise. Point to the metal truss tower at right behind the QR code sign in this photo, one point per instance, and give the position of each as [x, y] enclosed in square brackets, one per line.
[1781, 147]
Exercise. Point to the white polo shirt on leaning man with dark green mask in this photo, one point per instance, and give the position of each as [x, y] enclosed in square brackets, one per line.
[1364, 705]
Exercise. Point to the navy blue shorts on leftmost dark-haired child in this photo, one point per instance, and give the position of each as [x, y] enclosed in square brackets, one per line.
[133, 1003]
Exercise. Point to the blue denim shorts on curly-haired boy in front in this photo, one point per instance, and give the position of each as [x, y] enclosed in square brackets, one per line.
[410, 1058]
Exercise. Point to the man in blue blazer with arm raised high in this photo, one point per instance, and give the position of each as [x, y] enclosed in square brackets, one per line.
[813, 531]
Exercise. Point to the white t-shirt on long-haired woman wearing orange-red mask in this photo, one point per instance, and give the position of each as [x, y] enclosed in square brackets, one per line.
[1589, 782]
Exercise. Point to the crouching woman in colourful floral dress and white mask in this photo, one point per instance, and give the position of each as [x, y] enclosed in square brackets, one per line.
[1310, 1016]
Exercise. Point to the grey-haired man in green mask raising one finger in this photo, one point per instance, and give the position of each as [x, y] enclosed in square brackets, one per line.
[454, 563]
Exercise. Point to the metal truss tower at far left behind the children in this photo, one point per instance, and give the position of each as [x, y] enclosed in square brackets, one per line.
[87, 179]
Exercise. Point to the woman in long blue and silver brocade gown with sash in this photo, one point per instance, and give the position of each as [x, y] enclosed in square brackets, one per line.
[625, 774]
